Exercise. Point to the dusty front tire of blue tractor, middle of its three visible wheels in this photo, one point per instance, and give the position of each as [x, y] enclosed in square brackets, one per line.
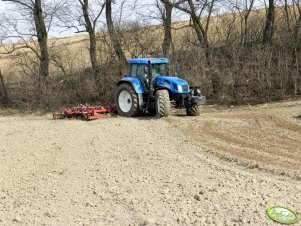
[162, 103]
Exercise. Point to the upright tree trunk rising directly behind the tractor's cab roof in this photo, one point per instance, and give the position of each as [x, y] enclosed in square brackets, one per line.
[167, 30]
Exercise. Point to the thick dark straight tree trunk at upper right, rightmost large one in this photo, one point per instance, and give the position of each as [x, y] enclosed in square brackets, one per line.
[269, 24]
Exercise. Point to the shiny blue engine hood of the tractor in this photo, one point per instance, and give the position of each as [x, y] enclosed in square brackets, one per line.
[175, 84]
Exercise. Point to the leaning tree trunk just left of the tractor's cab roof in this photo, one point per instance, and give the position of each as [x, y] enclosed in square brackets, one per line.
[113, 35]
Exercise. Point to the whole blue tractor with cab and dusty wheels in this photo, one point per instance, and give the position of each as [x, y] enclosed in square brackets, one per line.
[148, 88]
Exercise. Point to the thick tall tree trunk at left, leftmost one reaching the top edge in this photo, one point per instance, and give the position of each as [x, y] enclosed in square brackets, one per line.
[42, 38]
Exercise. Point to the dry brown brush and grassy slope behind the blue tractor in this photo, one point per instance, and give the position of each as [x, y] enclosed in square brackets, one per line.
[247, 70]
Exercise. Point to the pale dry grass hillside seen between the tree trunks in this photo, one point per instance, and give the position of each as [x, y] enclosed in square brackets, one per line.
[73, 52]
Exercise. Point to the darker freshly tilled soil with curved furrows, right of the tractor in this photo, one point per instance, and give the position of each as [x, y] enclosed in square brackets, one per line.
[267, 136]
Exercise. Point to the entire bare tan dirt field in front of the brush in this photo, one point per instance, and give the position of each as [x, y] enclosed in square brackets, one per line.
[224, 167]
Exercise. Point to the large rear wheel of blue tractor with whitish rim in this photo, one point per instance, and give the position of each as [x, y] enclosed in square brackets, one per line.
[126, 100]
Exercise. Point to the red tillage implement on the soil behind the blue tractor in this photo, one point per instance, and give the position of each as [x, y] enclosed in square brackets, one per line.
[85, 112]
